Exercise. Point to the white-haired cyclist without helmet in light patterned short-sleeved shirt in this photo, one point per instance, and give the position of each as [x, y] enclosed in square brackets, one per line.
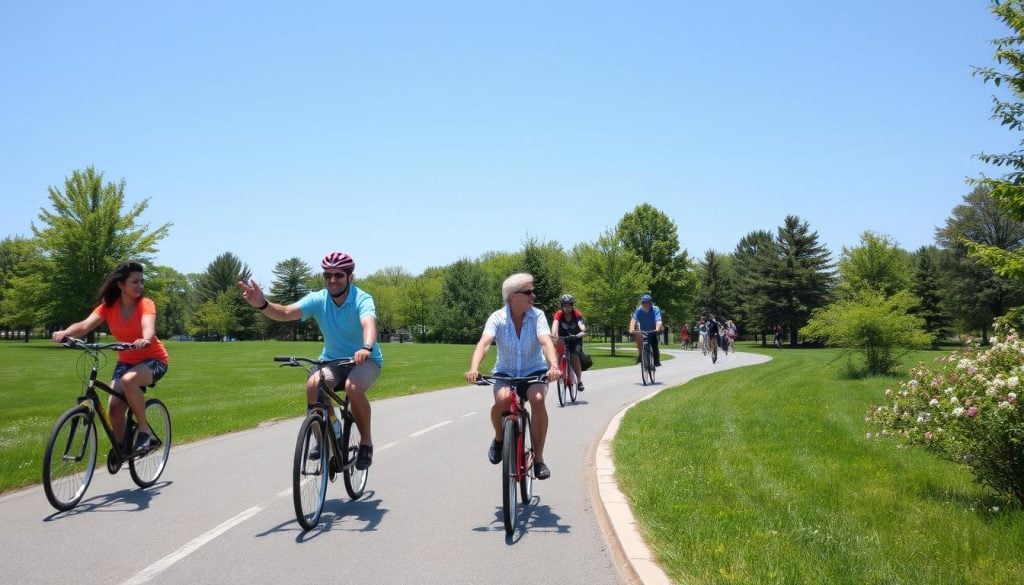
[524, 340]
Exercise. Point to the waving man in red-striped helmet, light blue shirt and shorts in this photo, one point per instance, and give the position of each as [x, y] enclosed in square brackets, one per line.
[348, 320]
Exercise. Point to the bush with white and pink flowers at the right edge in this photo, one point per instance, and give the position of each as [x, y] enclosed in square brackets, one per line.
[965, 409]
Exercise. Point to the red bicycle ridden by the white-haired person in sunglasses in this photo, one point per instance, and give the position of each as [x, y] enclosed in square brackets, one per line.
[518, 448]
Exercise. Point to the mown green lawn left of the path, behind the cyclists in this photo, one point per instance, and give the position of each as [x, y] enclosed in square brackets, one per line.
[210, 389]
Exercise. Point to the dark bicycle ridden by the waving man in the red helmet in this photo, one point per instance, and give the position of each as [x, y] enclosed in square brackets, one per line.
[310, 476]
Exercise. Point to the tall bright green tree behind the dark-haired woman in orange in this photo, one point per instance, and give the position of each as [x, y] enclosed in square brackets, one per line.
[84, 236]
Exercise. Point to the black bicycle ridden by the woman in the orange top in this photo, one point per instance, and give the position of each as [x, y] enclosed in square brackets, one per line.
[70, 458]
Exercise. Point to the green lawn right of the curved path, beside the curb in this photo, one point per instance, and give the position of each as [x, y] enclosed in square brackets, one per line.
[763, 475]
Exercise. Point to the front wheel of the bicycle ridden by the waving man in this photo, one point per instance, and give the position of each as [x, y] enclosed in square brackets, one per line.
[310, 472]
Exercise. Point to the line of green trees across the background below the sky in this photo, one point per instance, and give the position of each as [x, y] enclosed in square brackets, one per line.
[771, 278]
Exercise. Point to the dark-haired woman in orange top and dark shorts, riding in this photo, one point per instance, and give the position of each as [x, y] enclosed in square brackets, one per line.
[132, 319]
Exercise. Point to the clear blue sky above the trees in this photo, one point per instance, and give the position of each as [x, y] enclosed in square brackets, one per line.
[418, 134]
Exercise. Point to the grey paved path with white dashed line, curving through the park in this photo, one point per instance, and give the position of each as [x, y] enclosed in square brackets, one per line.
[223, 511]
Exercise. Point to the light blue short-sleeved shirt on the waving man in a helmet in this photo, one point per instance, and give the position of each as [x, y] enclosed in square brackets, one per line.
[340, 325]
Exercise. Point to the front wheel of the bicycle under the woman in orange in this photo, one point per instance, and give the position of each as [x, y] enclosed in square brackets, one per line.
[70, 458]
